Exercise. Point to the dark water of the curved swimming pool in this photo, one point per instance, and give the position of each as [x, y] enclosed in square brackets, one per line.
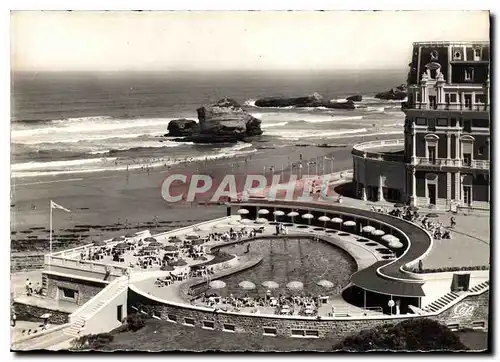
[294, 259]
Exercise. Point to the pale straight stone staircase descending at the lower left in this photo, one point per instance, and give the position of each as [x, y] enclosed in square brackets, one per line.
[79, 319]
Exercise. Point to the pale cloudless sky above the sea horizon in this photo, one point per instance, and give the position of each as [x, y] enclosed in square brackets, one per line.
[214, 41]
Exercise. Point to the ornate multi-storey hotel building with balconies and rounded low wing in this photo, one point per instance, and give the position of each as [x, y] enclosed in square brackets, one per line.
[446, 158]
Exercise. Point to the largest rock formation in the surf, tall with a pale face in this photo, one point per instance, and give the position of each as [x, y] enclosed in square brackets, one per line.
[223, 121]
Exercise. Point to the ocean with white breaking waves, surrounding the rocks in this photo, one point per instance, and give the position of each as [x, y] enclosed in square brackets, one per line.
[89, 122]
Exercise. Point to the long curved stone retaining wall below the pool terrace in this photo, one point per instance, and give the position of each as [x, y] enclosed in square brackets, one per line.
[285, 326]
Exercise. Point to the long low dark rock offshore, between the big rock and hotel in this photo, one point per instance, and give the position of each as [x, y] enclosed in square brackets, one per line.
[313, 100]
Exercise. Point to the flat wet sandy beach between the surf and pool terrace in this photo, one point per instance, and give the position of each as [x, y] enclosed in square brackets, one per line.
[104, 204]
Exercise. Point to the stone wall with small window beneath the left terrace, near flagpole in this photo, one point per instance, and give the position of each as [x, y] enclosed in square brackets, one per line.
[85, 289]
